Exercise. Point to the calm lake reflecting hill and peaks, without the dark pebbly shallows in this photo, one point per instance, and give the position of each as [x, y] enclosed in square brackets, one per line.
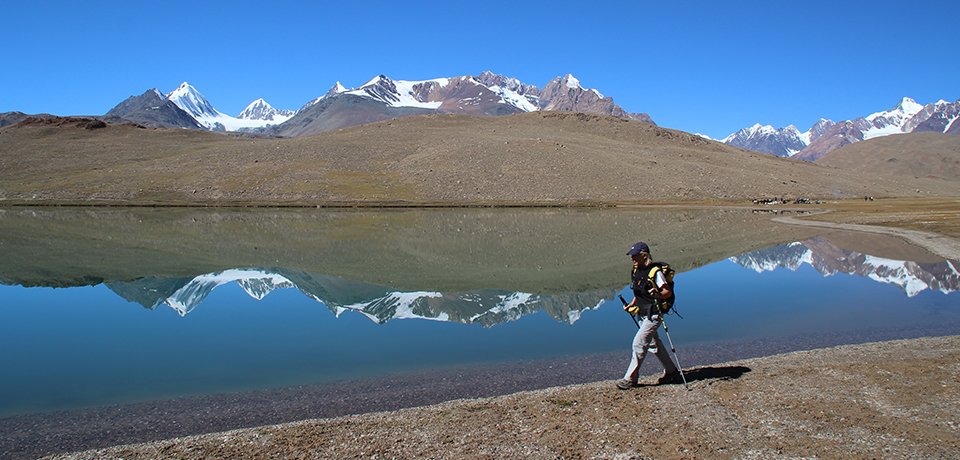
[111, 306]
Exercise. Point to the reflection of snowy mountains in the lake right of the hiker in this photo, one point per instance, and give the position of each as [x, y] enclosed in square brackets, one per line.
[828, 259]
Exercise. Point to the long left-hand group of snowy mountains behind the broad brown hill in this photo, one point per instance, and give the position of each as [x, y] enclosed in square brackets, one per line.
[379, 99]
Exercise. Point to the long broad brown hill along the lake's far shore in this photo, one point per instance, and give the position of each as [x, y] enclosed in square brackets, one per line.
[545, 157]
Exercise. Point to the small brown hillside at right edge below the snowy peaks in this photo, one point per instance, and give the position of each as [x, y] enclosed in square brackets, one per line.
[929, 155]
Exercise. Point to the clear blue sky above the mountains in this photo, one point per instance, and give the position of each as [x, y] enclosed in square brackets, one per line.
[700, 66]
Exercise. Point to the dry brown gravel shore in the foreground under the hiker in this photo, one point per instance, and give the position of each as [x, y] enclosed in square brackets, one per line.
[895, 399]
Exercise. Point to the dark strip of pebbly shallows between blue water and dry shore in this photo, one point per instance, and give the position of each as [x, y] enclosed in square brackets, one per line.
[31, 436]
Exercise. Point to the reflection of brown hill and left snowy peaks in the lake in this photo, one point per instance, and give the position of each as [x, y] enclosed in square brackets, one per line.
[481, 266]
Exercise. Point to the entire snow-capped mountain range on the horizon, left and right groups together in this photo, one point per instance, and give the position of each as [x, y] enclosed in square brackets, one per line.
[491, 94]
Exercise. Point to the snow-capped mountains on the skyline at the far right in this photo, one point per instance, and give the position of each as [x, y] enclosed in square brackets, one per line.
[825, 135]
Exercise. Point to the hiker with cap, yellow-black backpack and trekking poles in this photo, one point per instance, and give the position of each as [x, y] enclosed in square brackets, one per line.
[646, 292]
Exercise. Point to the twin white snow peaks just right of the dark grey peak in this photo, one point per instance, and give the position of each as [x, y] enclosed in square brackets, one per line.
[191, 101]
